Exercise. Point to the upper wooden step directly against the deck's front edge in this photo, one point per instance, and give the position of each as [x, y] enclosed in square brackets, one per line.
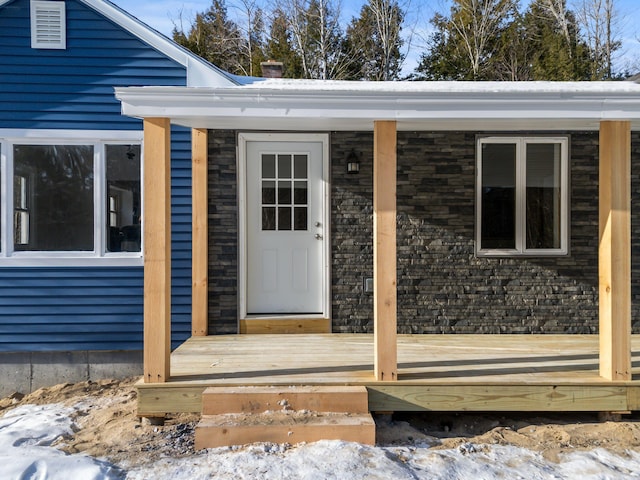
[343, 399]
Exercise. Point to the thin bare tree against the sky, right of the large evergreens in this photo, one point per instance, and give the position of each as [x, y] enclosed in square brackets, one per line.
[600, 24]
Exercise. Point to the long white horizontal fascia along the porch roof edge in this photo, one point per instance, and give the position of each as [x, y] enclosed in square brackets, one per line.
[236, 107]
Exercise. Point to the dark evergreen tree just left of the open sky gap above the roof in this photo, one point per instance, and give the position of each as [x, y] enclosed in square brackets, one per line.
[374, 42]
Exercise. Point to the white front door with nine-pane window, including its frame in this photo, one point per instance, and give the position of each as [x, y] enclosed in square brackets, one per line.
[285, 225]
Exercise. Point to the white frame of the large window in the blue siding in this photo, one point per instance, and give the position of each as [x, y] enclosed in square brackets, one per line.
[98, 139]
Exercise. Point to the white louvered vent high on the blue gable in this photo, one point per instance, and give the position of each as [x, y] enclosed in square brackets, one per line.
[48, 26]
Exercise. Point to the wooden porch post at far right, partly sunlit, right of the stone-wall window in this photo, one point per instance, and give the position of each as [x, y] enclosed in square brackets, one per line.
[615, 250]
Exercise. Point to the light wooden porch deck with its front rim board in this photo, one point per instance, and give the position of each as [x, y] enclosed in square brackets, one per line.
[436, 372]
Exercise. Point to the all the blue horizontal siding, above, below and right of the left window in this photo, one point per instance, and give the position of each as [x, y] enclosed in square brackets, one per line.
[97, 308]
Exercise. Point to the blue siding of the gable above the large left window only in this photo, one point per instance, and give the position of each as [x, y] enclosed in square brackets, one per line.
[73, 88]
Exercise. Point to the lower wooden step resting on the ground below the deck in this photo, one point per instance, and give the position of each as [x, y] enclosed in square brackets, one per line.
[239, 429]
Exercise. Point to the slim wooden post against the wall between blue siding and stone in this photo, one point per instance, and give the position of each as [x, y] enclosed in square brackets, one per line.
[200, 264]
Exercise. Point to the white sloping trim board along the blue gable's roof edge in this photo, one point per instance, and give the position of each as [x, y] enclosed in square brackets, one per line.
[199, 72]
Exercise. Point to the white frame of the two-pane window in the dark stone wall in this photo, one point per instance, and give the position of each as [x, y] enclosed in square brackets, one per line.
[521, 250]
